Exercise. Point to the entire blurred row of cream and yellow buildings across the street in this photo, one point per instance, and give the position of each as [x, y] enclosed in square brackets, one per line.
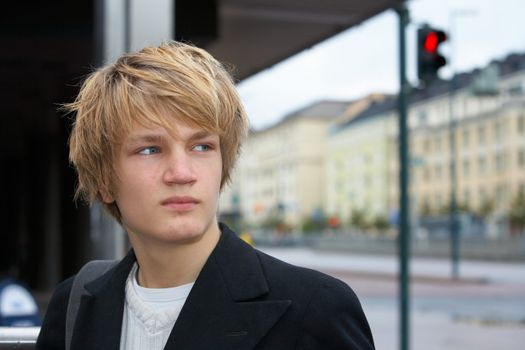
[338, 161]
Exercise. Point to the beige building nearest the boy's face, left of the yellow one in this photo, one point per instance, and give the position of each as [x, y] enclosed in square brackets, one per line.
[281, 177]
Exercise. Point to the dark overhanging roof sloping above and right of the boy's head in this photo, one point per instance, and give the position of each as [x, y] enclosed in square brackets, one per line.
[256, 34]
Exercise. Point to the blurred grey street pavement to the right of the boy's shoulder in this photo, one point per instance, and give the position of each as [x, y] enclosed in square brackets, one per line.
[483, 309]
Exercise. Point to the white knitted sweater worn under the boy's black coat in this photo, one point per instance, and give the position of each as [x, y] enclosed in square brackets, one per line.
[149, 314]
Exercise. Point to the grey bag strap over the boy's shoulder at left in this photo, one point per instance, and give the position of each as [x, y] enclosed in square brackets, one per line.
[87, 273]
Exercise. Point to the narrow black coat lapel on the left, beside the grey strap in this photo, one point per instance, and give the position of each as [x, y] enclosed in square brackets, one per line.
[101, 309]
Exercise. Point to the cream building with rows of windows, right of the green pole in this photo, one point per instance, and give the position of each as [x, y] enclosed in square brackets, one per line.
[486, 153]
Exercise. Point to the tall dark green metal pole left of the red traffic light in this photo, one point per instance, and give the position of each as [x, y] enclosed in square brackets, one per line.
[404, 215]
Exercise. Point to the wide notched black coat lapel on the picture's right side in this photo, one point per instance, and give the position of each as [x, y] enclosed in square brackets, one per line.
[226, 308]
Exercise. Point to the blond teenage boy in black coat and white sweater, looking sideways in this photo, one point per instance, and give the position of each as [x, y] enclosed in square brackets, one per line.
[155, 139]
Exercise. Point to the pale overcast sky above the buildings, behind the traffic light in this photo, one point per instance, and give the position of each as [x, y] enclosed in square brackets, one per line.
[364, 59]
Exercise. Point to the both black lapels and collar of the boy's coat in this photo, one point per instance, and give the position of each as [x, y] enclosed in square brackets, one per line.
[227, 307]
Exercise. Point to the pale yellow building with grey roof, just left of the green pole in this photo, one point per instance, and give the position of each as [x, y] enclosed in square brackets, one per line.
[359, 165]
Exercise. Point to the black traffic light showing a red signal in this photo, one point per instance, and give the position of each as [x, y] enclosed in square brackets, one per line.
[429, 59]
